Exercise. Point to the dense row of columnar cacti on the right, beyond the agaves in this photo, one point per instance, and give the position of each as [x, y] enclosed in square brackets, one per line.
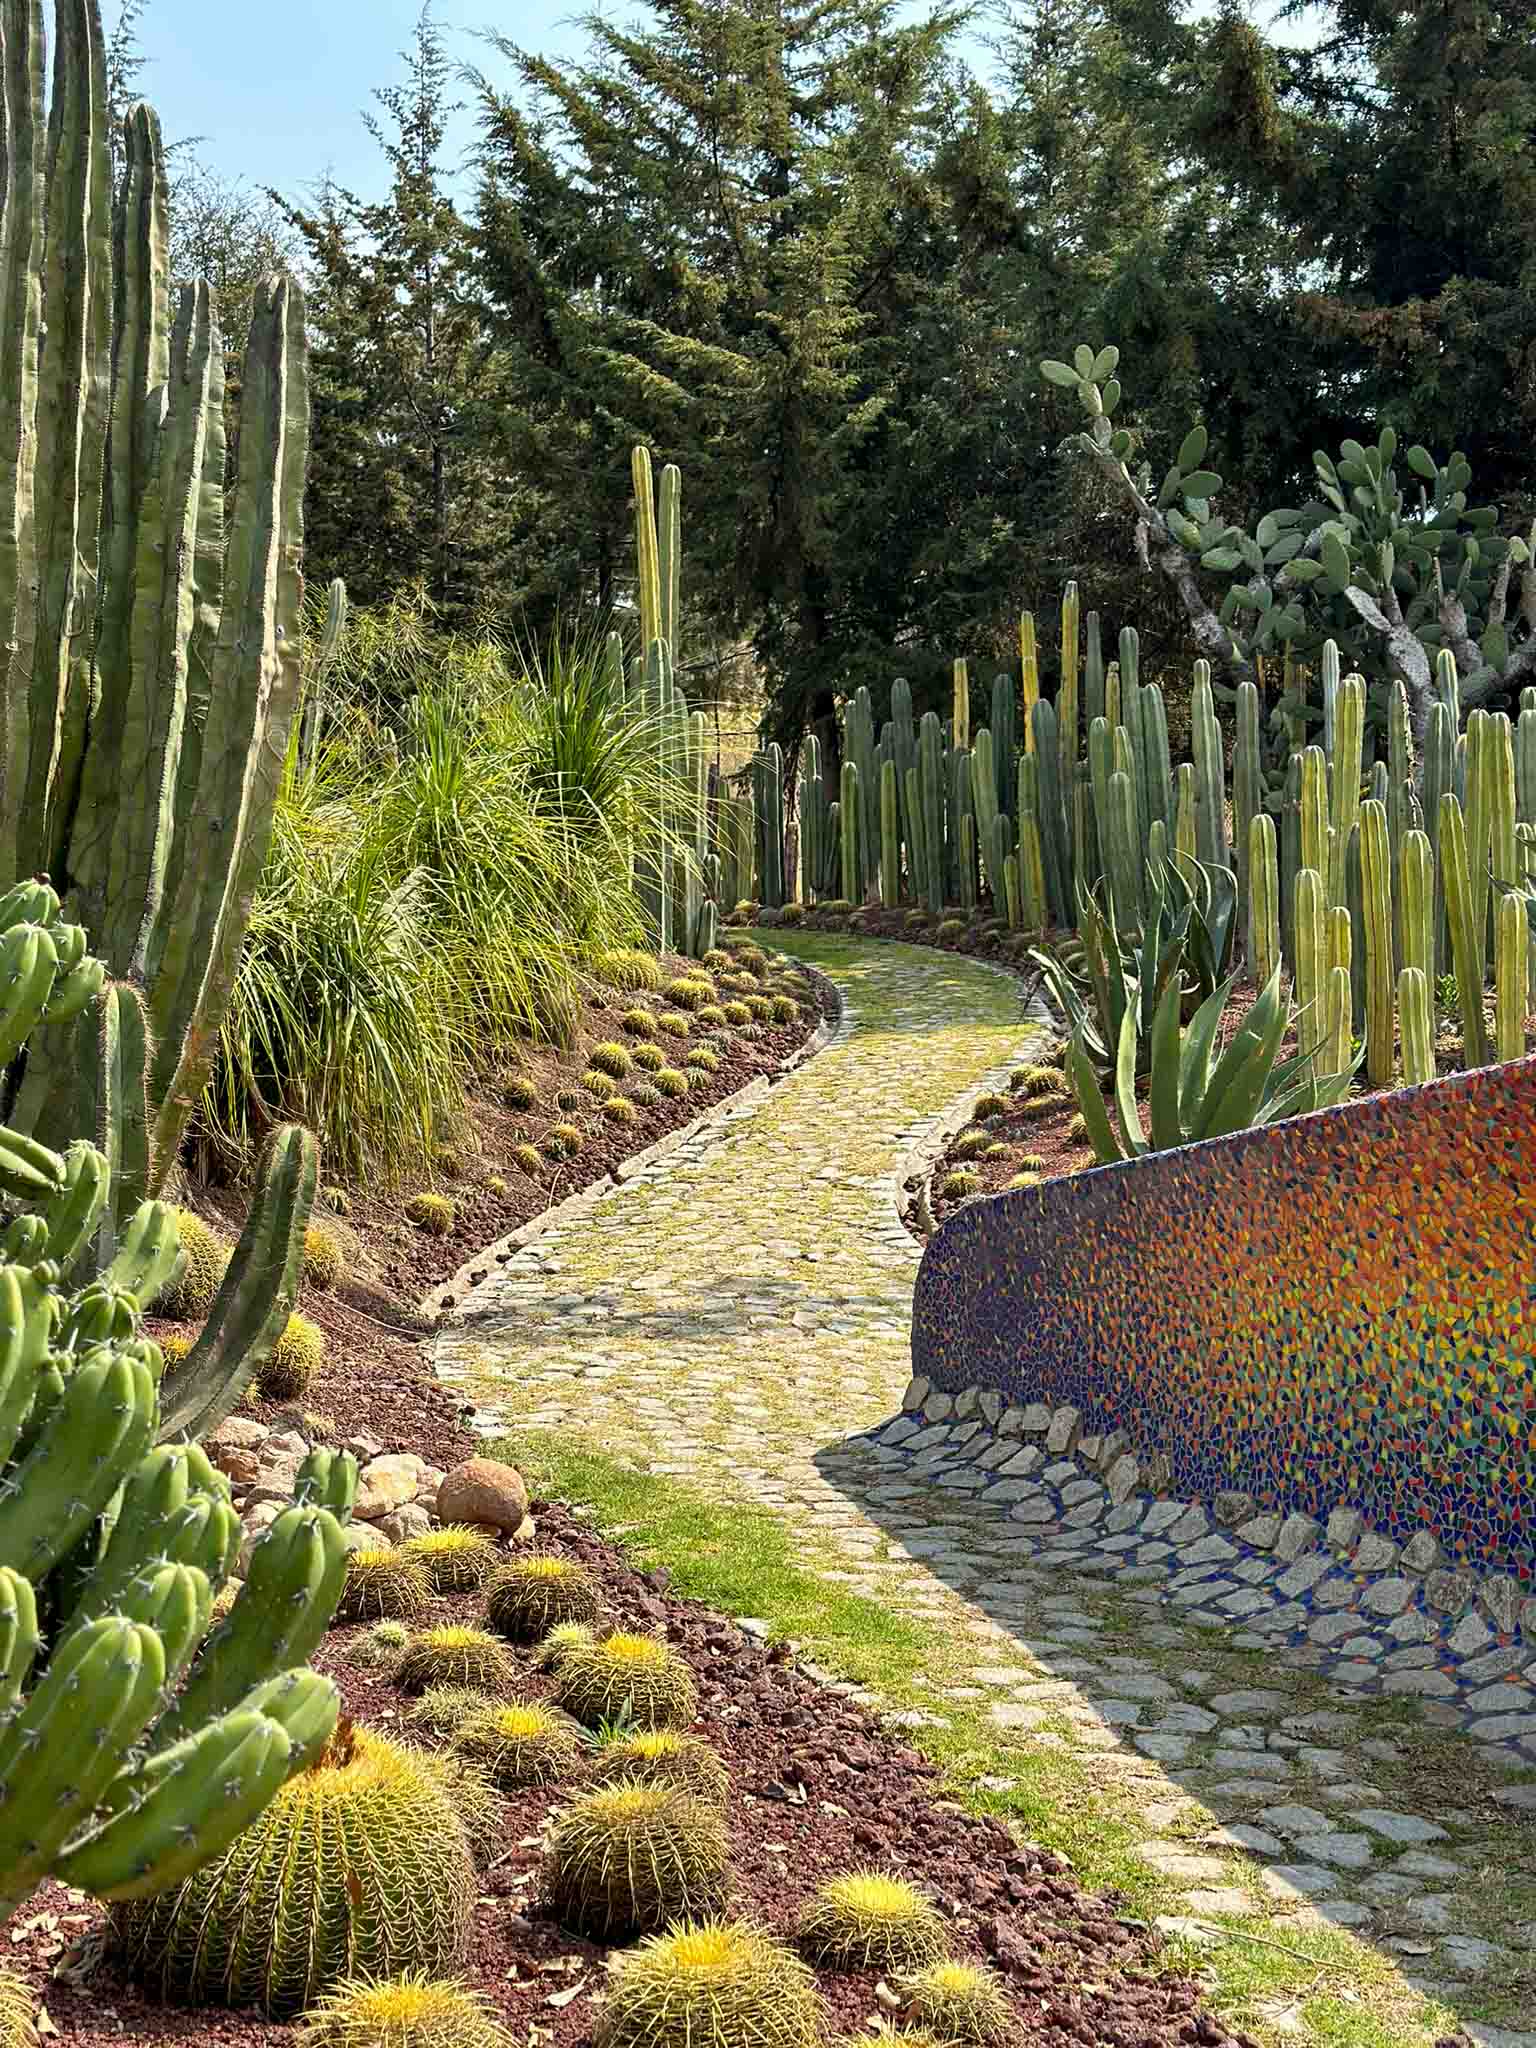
[1365, 871]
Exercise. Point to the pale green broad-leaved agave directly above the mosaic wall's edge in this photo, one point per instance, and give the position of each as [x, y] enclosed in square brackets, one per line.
[1193, 1095]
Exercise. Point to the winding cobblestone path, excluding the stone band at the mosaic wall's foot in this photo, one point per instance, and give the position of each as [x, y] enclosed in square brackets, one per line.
[738, 1318]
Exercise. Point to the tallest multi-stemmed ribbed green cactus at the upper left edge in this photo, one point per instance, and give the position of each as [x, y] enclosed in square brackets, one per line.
[155, 638]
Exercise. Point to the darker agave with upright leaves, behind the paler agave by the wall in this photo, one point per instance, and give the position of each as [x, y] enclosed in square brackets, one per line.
[1185, 943]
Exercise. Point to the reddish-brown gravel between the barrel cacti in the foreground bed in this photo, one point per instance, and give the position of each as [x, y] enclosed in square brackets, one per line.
[816, 1789]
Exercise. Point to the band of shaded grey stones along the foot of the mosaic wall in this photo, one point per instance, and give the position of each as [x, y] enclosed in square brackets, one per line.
[1340, 1598]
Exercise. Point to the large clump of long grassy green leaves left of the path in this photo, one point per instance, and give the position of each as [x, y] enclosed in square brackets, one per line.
[447, 865]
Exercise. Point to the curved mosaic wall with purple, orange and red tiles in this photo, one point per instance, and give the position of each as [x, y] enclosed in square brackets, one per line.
[1334, 1312]
